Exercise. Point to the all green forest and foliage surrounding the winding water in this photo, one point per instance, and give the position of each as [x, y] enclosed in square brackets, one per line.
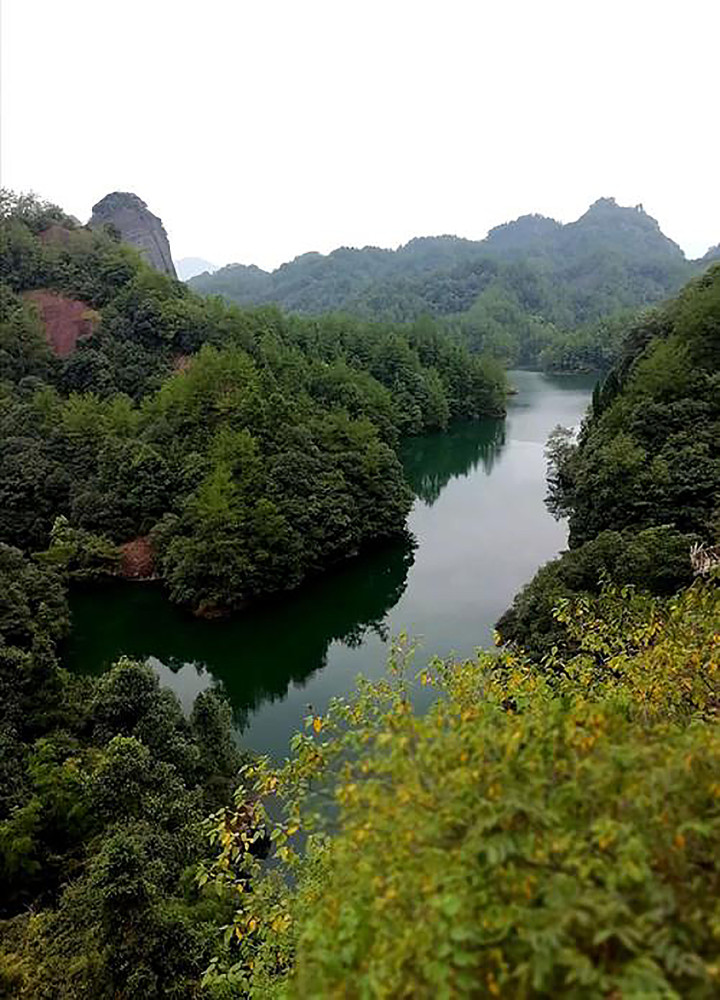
[550, 826]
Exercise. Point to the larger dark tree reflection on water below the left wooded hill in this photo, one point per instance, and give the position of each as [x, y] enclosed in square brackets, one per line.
[256, 655]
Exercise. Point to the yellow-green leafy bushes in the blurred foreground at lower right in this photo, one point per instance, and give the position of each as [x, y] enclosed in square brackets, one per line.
[539, 832]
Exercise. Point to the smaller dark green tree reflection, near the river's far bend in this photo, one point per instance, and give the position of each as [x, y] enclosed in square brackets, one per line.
[432, 460]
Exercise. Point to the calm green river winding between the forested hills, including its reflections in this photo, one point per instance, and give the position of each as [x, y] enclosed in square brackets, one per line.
[480, 529]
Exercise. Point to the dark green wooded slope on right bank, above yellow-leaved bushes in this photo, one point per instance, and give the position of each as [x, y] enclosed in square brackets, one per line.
[642, 483]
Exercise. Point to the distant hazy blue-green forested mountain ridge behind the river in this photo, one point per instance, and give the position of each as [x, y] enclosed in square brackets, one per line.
[533, 292]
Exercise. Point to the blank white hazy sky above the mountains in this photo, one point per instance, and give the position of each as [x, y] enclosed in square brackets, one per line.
[259, 129]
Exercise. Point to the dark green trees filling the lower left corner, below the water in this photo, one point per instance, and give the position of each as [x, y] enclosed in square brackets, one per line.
[104, 786]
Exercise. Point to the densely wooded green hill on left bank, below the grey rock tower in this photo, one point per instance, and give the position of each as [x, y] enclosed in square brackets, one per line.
[255, 448]
